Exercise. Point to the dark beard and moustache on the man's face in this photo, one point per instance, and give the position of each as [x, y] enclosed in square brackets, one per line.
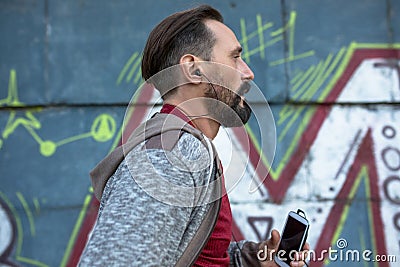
[226, 107]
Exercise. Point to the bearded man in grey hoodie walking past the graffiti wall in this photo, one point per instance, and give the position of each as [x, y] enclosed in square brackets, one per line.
[163, 199]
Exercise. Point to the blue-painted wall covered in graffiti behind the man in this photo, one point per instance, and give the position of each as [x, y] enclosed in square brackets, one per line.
[329, 69]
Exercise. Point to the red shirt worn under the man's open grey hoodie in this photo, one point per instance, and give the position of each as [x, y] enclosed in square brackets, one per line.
[215, 252]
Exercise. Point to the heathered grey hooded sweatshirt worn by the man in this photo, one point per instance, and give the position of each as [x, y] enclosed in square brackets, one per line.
[159, 199]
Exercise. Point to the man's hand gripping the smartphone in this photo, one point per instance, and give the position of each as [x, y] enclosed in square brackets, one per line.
[271, 247]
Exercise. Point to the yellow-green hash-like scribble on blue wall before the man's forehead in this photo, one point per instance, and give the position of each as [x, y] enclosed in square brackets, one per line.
[274, 37]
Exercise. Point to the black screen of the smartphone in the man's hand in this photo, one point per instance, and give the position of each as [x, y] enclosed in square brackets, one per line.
[292, 238]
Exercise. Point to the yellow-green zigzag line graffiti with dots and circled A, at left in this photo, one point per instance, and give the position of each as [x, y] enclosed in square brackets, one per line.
[102, 130]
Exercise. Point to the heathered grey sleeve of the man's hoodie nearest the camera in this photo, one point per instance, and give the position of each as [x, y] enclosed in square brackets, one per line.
[136, 225]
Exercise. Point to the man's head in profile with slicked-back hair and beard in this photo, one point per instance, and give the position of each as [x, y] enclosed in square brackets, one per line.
[189, 38]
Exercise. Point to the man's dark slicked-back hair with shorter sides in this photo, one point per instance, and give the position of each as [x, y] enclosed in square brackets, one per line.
[179, 34]
